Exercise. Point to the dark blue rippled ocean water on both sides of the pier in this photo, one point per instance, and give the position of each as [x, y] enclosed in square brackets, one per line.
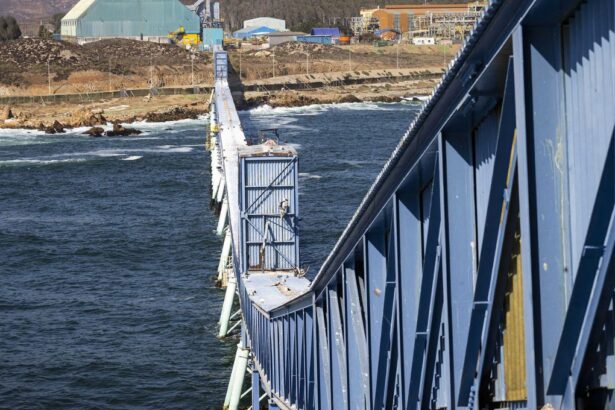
[108, 254]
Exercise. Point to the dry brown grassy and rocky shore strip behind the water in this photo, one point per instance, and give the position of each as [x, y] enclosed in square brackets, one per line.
[283, 76]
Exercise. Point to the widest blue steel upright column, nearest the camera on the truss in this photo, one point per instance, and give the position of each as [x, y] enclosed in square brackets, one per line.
[542, 195]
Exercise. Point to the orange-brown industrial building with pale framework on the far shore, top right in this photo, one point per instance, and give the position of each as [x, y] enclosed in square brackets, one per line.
[442, 21]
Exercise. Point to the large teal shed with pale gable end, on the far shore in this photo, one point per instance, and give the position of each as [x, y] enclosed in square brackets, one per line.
[149, 20]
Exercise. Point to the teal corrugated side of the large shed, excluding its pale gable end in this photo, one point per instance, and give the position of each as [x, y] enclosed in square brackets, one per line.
[135, 18]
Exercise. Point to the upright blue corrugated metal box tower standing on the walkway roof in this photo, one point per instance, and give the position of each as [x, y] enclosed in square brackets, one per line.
[268, 181]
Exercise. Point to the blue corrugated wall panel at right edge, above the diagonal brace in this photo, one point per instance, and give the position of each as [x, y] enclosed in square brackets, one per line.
[589, 86]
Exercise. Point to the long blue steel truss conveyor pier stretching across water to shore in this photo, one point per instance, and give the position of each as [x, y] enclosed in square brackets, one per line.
[479, 270]
